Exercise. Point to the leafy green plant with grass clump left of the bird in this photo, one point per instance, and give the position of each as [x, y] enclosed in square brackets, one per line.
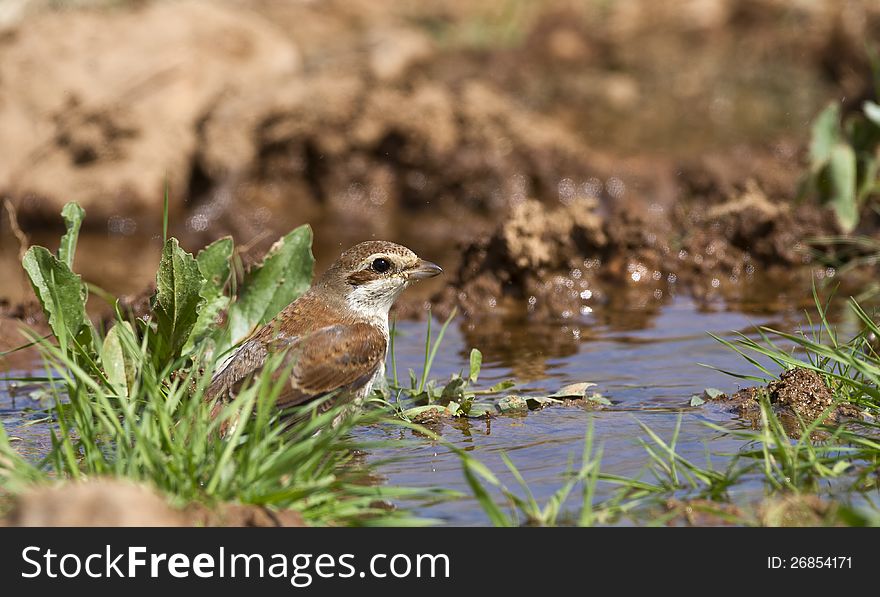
[128, 398]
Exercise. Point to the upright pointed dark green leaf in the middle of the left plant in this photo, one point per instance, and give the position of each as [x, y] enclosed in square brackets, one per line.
[178, 283]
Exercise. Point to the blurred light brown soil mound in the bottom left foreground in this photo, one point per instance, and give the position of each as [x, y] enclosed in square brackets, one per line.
[109, 503]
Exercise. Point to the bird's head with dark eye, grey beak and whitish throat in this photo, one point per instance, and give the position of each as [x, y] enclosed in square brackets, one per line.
[371, 275]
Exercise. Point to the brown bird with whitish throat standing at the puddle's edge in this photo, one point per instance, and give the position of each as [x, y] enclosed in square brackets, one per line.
[334, 337]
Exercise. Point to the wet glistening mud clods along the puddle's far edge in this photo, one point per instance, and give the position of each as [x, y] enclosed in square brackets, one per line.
[560, 262]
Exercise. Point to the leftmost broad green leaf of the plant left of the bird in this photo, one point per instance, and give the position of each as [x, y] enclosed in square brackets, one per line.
[61, 293]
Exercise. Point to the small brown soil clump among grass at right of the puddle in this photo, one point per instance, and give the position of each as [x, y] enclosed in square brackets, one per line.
[798, 395]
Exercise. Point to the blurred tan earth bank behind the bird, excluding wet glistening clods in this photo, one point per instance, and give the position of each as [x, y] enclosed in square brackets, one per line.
[421, 122]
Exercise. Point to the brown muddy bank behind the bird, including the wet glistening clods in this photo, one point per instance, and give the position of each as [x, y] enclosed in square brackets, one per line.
[563, 150]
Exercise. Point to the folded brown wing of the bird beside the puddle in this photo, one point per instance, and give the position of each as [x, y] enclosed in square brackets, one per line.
[327, 359]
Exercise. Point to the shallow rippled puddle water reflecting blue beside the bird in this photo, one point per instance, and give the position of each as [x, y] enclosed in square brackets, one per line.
[649, 372]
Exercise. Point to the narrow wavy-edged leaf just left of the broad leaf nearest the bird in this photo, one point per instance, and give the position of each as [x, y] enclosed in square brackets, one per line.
[214, 265]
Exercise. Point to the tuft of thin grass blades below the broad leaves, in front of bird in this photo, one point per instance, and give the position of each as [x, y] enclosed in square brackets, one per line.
[162, 433]
